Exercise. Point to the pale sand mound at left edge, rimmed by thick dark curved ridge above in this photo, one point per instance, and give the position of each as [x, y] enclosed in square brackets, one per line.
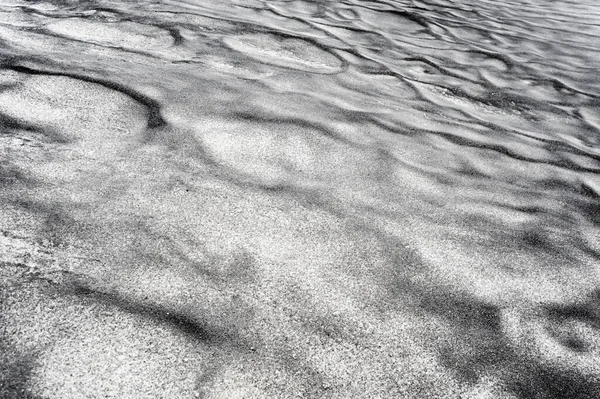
[74, 109]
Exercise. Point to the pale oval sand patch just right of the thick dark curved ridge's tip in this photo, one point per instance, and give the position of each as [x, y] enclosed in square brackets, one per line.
[281, 153]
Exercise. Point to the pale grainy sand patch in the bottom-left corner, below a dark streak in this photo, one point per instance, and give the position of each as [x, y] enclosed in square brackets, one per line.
[77, 342]
